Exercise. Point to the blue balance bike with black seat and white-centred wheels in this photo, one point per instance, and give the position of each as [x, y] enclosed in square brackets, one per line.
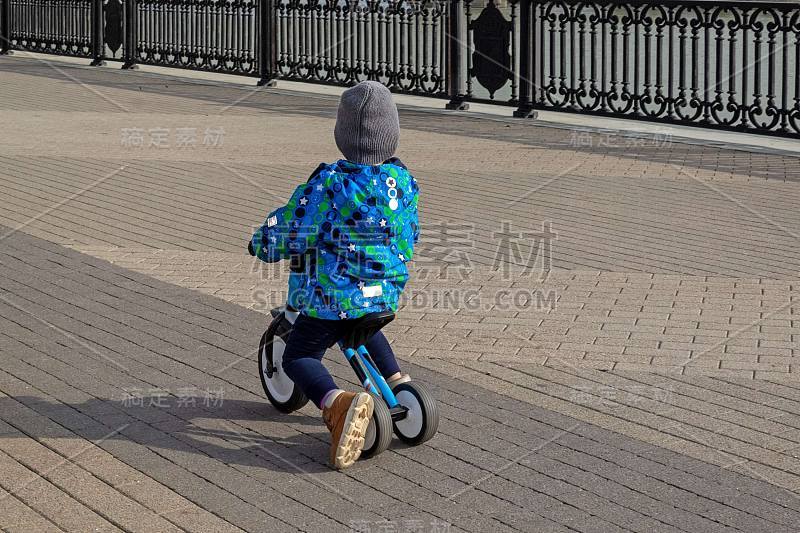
[408, 408]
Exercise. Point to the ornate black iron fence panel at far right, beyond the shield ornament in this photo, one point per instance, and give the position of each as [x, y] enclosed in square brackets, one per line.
[717, 64]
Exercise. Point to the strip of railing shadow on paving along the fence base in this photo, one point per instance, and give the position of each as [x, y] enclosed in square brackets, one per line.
[657, 147]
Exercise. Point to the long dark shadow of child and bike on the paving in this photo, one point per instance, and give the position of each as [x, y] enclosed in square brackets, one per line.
[236, 432]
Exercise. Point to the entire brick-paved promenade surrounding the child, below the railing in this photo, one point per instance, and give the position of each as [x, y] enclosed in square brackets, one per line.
[632, 370]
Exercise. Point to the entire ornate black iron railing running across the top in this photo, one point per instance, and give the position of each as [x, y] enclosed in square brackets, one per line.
[731, 65]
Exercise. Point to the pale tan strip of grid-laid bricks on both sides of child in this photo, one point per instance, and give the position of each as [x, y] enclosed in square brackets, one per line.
[734, 327]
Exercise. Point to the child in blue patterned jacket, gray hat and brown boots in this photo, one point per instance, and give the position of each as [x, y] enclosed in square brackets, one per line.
[349, 232]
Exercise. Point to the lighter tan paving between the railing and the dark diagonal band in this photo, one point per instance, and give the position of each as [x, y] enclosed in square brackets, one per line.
[681, 257]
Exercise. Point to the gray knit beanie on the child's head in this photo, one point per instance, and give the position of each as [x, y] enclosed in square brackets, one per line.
[367, 127]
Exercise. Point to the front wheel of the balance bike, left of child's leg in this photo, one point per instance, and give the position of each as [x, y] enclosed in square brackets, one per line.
[286, 397]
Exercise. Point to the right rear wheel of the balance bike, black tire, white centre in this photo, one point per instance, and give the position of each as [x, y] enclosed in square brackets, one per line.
[422, 421]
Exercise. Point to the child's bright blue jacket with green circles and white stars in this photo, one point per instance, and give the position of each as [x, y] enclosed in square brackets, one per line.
[353, 265]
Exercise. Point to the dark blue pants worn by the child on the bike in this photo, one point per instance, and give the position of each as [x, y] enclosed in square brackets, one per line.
[310, 337]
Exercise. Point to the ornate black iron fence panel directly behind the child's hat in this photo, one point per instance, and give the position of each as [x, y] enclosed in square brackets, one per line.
[401, 43]
